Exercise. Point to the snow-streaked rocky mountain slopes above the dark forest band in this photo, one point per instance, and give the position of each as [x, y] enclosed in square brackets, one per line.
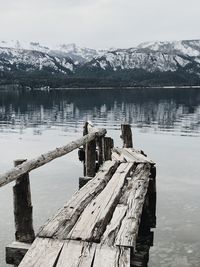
[180, 58]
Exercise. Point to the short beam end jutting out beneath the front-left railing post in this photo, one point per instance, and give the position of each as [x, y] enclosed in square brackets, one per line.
[15, 252]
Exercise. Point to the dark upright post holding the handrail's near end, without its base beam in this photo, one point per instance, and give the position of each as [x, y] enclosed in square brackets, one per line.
[23, 208]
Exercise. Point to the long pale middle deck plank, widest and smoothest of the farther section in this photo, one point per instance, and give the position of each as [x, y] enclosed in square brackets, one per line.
[92, 222]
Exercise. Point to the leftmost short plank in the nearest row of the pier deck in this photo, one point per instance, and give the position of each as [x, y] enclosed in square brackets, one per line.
[44, 252]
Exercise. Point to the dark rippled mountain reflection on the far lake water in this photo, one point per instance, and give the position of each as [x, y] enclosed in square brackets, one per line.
[171, 110]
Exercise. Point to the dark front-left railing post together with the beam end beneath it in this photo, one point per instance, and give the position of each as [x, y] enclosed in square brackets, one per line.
[24, 233]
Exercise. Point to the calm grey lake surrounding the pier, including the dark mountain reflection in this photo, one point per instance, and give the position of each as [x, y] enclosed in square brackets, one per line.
[165, 124]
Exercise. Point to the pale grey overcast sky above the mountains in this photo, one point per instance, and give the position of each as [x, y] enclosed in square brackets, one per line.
[99, 23]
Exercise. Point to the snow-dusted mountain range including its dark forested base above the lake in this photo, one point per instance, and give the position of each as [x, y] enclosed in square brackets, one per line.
[148, 64]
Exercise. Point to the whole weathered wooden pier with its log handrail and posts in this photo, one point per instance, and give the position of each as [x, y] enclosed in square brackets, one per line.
[106, 223]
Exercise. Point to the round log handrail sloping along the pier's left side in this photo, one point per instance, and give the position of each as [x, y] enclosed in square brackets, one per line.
[30, 165]
